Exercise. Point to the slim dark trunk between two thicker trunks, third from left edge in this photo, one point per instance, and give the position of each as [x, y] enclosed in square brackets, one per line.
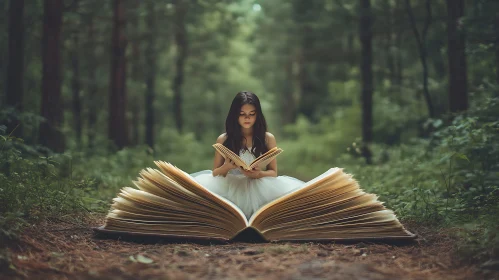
[76, 88]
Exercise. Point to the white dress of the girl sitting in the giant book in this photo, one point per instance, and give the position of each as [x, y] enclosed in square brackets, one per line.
[247, 193]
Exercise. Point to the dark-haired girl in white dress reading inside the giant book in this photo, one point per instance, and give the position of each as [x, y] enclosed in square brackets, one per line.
[246, 134]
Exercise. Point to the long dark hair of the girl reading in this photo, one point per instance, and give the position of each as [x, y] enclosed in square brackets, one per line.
[233, 129]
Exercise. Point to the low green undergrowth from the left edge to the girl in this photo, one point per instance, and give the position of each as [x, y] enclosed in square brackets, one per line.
[36, 186]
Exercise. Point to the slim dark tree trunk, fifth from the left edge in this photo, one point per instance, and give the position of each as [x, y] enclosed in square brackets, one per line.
[151, 76]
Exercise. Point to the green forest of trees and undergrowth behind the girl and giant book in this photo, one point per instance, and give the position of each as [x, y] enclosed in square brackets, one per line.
[403, 94]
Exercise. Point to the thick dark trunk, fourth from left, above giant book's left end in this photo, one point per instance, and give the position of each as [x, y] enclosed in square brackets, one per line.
[117, 99]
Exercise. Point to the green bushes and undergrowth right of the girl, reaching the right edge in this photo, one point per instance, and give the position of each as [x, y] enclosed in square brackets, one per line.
[448, 180]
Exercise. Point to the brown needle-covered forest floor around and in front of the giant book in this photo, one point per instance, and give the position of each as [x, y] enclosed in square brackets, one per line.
[64, 249]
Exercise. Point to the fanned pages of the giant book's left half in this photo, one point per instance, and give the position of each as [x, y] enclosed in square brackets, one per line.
[170, 202]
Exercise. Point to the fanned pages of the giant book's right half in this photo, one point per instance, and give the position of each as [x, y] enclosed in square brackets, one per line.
[330, 207]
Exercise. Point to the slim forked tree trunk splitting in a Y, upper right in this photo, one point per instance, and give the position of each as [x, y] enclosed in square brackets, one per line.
[423, 51]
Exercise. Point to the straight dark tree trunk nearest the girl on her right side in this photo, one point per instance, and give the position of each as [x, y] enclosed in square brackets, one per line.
[367, 77]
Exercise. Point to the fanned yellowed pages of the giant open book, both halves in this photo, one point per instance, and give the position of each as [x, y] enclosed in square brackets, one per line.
[169, 202]
